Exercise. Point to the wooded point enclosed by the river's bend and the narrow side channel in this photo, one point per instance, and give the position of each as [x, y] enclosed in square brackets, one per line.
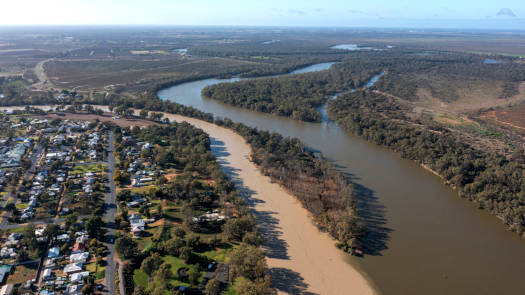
[295, 96]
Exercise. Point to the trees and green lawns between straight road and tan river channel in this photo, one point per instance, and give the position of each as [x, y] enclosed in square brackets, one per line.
[177, 248]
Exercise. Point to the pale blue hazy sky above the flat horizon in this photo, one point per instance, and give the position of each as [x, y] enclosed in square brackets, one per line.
[507, 14]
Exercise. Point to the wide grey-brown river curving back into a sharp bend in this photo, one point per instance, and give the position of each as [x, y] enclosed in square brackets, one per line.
[424, 238]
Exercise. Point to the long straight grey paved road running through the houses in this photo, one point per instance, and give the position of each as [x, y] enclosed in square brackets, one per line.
[111, 210]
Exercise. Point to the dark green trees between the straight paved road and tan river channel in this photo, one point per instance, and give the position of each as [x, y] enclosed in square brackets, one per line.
[185, 148]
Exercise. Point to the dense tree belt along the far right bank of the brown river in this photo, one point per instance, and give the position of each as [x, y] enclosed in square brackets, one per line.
[494, 183]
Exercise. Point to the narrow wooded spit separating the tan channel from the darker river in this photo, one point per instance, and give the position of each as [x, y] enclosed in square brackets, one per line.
[326, 193]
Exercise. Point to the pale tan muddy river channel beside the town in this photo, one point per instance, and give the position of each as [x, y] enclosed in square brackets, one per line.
[300, 257]
